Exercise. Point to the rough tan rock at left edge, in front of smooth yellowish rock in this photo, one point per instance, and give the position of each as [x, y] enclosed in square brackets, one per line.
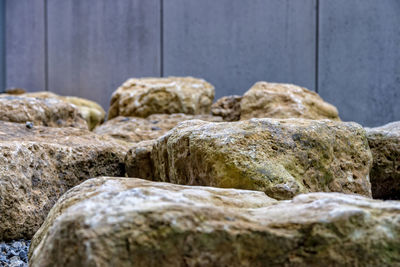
[46, 112]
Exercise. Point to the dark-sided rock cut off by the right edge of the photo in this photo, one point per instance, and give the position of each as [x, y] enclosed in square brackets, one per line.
[385, 173]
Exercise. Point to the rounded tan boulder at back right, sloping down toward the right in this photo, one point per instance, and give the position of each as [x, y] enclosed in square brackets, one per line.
[277, 100]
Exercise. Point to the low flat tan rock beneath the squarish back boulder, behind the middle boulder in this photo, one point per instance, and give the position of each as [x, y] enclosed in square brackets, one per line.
[131, 129]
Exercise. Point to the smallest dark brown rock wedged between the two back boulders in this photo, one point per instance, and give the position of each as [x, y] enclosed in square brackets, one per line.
[228, 107]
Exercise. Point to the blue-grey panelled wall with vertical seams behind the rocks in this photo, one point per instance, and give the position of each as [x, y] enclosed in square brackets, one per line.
[346, 50]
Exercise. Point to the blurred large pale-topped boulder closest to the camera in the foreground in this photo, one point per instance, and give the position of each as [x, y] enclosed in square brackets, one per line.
[132, 222]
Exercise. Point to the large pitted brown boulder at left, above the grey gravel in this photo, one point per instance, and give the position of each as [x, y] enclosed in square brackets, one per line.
[38, 165]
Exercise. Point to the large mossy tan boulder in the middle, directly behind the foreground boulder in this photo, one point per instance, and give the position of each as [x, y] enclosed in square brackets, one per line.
[282, 157]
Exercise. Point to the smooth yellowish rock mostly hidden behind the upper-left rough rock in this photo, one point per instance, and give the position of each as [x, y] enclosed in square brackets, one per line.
[92, 112]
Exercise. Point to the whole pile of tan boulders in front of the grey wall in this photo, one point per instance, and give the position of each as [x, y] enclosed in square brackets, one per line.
[272, 177]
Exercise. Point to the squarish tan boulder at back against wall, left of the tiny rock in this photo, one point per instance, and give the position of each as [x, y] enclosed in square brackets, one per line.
[145, 96]
